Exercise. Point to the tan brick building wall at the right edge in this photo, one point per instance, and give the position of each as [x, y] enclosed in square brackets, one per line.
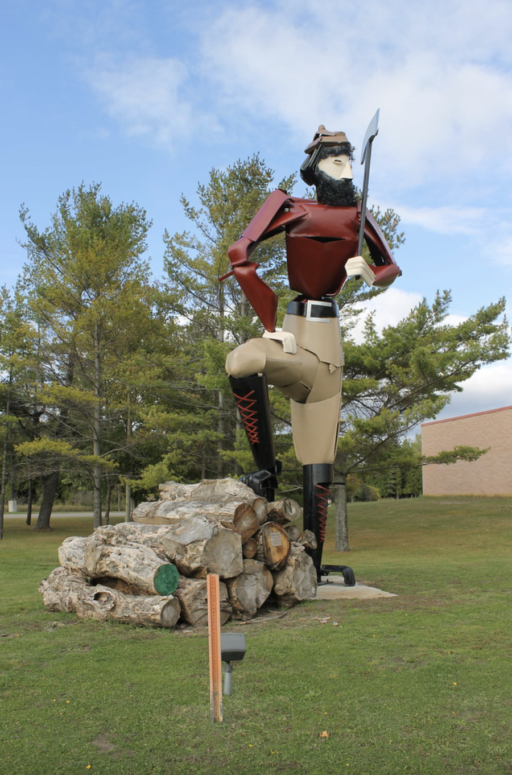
[491, 474]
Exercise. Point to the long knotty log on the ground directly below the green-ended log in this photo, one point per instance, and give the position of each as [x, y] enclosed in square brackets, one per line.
[64, 590]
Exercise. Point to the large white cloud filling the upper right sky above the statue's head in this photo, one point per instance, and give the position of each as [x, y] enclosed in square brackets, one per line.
[440, 73]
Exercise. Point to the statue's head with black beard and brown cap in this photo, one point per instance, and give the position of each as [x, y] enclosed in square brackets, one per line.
[328, 167]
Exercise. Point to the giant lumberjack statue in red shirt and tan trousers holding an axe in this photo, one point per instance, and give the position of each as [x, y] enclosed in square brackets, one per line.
[304, 360]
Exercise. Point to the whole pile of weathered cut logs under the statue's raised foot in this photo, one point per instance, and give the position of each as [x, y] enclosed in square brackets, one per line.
[152, 571]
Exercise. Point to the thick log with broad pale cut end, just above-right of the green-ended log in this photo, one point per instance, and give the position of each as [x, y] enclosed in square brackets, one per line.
[197, 545]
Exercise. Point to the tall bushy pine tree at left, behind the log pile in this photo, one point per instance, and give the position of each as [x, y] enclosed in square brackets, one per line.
[86, 292]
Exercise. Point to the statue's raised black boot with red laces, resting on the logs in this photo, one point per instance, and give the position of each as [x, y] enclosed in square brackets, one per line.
[251, 396]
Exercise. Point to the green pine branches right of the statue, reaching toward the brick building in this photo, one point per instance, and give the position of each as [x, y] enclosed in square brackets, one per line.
[405, 375]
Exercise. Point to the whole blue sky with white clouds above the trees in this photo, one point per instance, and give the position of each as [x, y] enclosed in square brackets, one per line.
[147, 97]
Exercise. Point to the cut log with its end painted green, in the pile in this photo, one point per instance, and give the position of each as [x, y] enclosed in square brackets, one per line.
[137, 565]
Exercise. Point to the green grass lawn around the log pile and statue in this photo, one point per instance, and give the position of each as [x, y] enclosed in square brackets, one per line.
[420, 683]
